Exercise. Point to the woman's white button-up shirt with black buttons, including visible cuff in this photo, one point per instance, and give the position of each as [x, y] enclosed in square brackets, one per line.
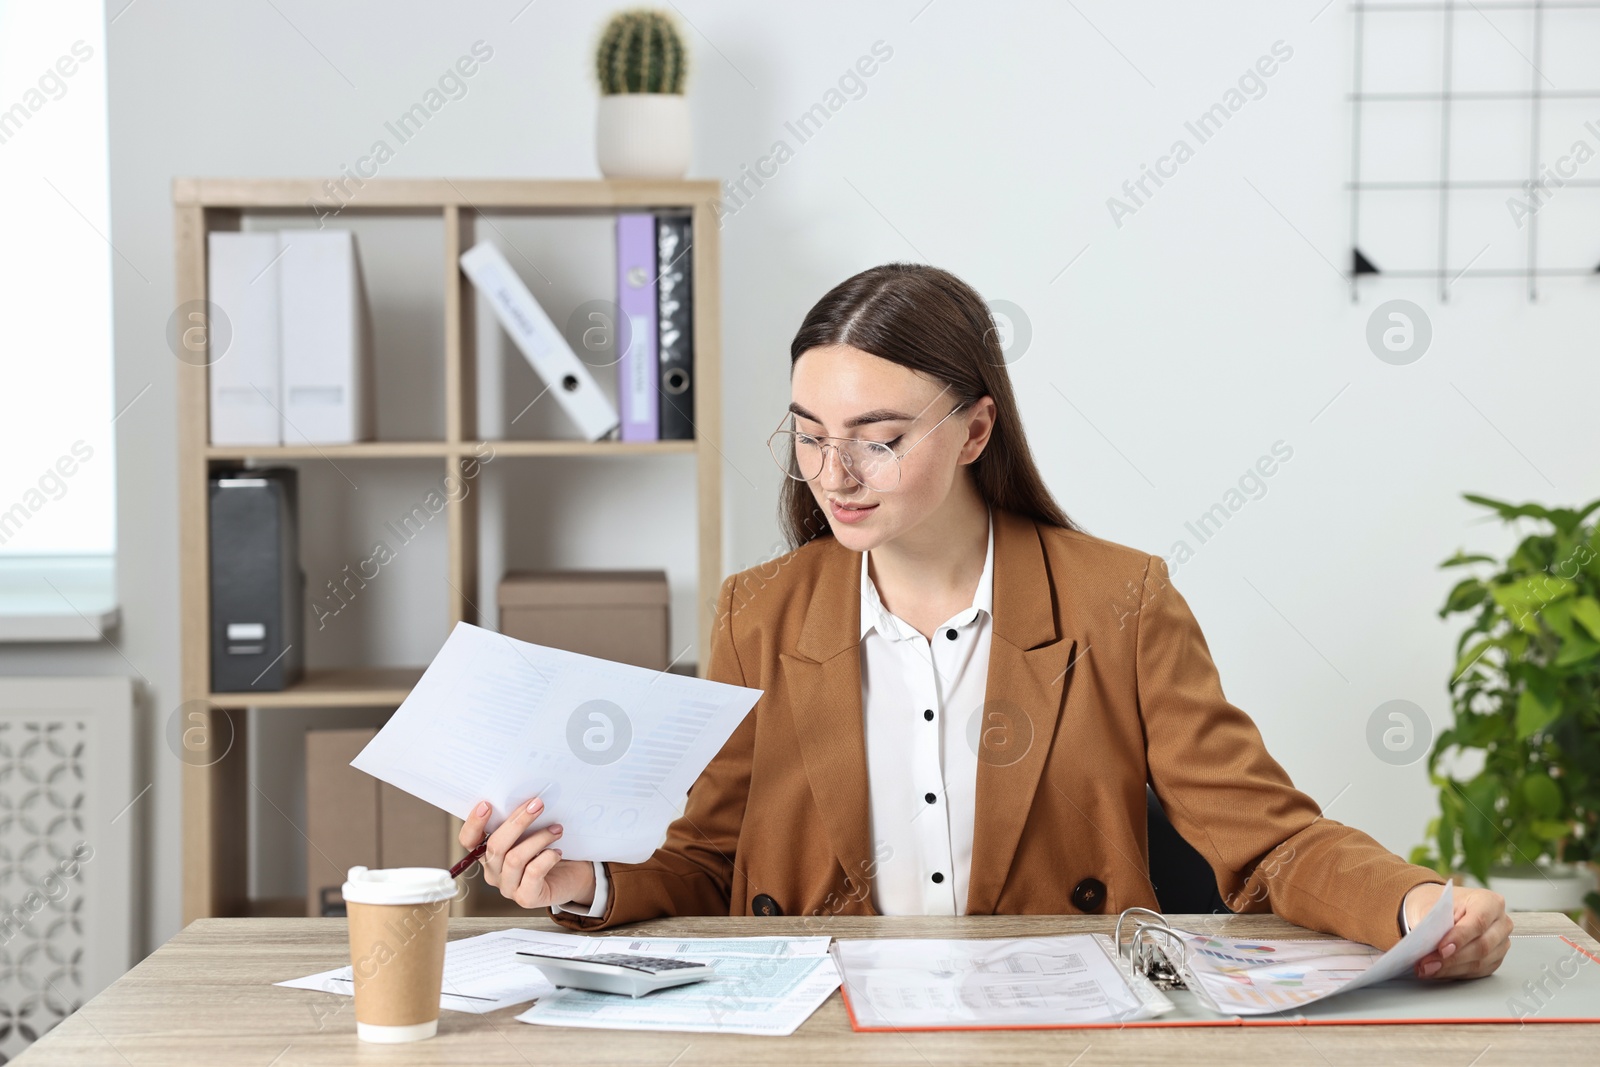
[922, 709]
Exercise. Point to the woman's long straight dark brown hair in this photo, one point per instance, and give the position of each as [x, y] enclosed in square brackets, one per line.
[932, 322]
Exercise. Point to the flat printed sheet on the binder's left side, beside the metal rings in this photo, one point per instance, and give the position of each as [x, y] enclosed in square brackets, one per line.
[991, 983]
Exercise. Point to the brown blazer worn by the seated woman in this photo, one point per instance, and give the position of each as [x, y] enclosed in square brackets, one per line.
[1100, 681]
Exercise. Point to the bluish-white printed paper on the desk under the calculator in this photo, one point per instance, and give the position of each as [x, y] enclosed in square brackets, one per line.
[764, 986]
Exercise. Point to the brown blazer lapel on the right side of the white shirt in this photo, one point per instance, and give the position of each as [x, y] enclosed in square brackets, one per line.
[1023, 701]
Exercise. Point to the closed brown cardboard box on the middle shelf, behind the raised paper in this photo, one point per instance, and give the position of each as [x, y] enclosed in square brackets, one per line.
[614, 615]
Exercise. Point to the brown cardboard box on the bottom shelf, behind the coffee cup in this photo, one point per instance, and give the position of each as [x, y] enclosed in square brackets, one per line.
[353, 818]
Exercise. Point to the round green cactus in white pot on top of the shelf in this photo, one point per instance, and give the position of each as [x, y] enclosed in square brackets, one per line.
[644, 122]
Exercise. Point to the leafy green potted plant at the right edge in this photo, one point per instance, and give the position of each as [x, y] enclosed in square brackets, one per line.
[1519, 807]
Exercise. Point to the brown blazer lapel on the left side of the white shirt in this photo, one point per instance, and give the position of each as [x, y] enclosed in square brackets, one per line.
[825, 677]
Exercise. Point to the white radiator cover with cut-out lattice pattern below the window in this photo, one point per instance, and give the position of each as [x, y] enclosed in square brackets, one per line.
[68, 817]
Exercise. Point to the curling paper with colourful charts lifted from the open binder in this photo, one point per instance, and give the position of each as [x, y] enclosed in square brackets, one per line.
[1260, 977]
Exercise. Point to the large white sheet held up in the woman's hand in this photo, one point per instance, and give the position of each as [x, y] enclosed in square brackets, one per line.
[610, 748]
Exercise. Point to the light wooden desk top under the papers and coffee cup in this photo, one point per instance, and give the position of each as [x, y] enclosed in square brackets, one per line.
[207, 997]
